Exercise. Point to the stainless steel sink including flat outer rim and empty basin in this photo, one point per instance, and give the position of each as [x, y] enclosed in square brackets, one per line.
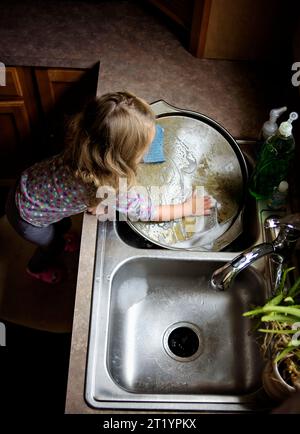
[162, 339]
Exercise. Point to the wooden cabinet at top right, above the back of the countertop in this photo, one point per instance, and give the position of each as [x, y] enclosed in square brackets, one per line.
[233, 29]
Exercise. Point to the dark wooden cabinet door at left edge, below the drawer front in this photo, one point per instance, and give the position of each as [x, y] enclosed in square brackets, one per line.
[14, 134]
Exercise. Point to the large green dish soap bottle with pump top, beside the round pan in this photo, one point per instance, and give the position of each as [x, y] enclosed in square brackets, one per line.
[274, 159]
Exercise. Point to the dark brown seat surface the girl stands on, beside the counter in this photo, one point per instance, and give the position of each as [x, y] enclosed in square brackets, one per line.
[27, 301]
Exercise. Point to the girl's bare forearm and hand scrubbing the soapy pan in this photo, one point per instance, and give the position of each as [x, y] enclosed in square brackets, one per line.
[186, 209]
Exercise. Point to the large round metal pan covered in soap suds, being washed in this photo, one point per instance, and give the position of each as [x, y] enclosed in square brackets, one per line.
[199, 152]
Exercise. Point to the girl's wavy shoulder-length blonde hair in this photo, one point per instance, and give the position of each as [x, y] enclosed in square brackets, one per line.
[104, 141]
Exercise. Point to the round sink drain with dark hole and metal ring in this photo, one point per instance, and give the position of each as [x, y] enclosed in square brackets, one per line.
[182, 341]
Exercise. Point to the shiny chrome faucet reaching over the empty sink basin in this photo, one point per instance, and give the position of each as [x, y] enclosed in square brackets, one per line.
[288, 232]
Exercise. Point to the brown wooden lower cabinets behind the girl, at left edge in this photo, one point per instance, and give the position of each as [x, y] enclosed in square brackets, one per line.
[34, 106]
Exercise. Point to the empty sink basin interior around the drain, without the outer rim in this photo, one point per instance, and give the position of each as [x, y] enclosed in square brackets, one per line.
[171, 333]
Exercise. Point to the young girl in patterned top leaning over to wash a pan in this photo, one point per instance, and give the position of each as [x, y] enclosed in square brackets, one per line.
[104, 143]
